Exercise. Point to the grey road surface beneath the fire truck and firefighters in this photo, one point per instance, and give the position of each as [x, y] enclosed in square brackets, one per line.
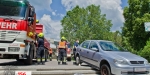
[50, 68]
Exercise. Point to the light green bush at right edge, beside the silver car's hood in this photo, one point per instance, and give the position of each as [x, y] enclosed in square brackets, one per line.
[146, 51]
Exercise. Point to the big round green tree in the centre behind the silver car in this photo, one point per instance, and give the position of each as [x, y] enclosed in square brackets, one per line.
[85, 23]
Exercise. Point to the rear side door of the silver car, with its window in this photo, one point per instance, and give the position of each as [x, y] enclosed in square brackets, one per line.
[83, 50]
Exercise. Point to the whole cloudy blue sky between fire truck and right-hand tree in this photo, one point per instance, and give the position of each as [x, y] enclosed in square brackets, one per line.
[50, 12]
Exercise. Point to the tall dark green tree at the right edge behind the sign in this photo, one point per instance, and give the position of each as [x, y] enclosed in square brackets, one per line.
[136, 14]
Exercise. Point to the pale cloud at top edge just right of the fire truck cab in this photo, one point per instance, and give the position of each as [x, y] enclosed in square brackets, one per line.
[41, 4]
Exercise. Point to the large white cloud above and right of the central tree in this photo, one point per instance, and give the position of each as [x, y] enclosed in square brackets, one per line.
[111, 8]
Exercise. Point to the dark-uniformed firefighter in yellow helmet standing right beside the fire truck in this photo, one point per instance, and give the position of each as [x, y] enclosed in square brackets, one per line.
[40, 51]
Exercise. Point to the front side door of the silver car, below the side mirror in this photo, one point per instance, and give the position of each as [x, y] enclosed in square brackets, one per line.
[93, 53]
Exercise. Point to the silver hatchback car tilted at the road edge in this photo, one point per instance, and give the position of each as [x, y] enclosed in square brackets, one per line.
[110, 58]
